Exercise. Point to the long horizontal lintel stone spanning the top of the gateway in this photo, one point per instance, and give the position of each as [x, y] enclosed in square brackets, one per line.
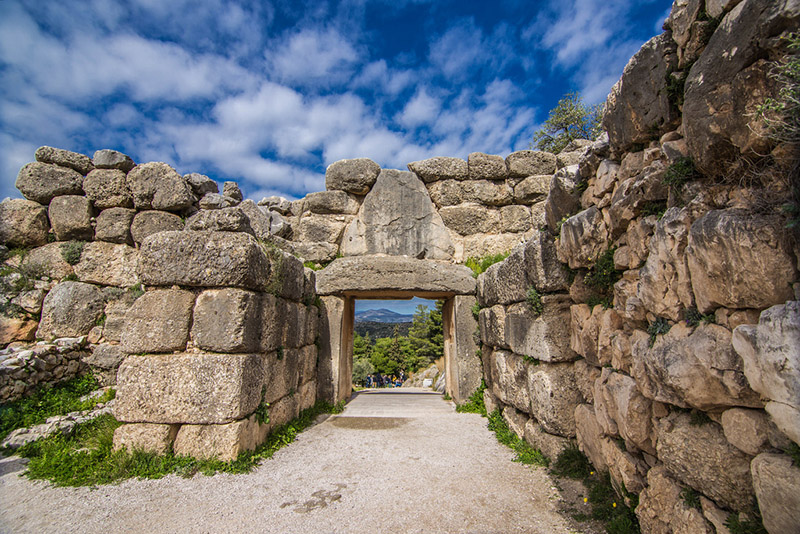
[377, 273]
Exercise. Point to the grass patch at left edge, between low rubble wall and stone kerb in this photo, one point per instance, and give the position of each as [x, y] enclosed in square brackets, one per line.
[45, 402]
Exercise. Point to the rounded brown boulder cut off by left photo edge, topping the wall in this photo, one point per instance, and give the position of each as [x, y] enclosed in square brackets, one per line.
[23, 223]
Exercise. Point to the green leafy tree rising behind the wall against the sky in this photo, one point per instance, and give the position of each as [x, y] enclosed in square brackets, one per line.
[571, 119]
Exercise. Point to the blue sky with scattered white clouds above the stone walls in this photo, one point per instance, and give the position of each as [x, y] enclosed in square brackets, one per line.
[270, 93]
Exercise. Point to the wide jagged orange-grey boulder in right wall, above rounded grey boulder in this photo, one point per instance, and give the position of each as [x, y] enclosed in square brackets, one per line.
[695, 368]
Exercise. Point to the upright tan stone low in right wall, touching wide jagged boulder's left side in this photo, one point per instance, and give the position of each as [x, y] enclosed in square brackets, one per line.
[622, 410]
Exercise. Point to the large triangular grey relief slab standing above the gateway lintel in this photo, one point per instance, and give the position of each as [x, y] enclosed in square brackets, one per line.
[398, 218]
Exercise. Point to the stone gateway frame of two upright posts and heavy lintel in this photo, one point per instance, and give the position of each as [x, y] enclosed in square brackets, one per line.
[371, 277]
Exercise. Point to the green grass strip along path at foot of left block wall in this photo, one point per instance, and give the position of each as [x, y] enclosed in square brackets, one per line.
[86, 458]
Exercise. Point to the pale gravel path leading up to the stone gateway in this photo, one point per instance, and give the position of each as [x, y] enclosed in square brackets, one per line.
[392, 462]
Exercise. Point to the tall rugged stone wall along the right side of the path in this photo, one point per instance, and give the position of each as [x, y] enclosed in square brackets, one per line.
[689, 379]
